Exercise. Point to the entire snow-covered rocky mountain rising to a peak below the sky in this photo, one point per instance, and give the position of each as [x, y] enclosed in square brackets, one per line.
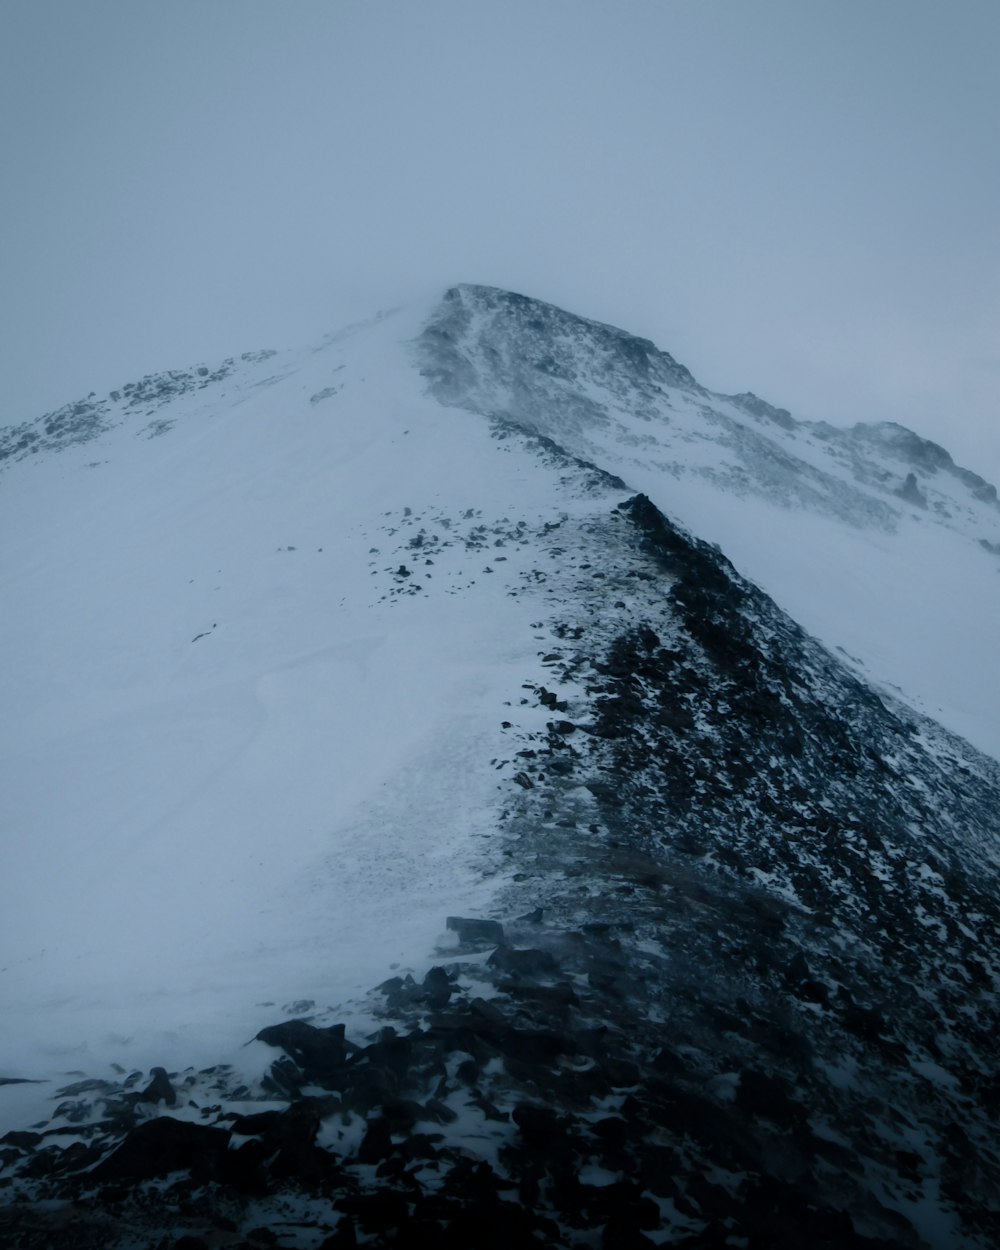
[309, 652]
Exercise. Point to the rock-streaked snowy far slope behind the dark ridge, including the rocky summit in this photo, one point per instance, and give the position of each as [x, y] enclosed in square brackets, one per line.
[821, 518]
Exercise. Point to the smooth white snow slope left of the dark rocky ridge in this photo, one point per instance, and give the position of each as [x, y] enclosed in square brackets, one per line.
[238, 752]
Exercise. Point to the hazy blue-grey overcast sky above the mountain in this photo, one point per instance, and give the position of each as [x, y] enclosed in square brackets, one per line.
[801, 199]
